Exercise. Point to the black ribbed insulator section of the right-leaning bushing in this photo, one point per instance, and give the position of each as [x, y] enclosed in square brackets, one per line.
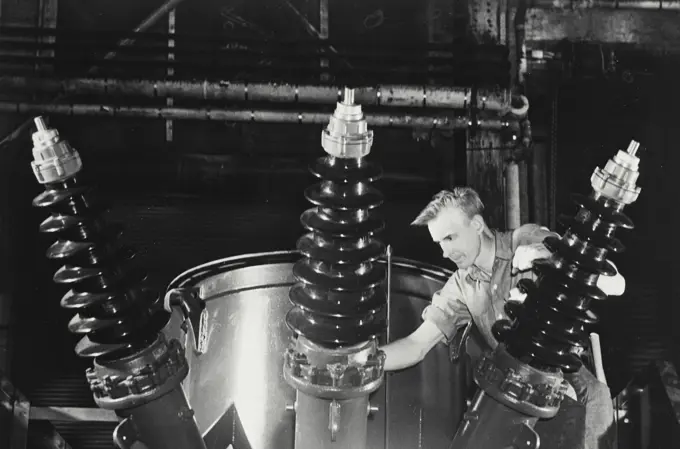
[552, 325]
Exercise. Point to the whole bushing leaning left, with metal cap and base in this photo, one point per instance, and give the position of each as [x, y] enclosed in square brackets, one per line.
[137, 371]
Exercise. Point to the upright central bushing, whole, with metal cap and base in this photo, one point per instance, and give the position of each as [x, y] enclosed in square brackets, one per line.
[340, 301]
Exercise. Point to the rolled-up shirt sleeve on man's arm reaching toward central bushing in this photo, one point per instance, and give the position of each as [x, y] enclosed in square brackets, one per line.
[447, 311]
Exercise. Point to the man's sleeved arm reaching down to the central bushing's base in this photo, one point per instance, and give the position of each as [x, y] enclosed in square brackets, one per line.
[441, 320]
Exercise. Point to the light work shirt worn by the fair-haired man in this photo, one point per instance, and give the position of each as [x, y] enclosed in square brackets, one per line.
[472, 294]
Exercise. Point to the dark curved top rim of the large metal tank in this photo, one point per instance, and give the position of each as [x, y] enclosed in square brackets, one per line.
[215, 267]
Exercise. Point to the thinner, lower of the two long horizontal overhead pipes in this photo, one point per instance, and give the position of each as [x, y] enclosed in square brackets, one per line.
[402, 120]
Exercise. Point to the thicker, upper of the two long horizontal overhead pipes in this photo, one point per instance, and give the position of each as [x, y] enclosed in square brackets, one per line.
[499, 100]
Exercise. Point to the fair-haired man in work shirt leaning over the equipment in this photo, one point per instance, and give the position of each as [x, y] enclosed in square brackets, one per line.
[489, 265]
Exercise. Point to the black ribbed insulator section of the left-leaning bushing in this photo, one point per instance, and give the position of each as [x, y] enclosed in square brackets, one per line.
[113, 310]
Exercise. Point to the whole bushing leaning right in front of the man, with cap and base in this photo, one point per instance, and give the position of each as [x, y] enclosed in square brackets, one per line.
[521, 381]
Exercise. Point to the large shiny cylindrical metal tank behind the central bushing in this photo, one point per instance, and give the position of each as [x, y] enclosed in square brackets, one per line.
[235, 279]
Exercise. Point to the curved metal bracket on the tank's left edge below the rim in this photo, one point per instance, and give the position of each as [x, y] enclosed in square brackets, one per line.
[192, 306]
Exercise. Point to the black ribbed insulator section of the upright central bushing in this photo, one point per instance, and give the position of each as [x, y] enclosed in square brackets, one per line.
[339, 299]
